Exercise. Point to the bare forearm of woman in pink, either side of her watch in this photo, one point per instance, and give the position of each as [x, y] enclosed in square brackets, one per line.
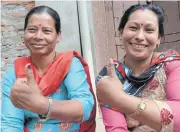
[150, 116]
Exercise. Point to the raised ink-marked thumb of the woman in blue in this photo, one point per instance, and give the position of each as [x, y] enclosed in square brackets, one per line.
[29, 74]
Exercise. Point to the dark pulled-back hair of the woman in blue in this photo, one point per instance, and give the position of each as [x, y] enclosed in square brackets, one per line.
[49, 11]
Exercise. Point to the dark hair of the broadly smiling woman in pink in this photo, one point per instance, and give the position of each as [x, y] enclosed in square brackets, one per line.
[155, 8]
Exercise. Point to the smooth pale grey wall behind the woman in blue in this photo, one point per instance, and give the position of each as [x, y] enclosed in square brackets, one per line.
[67, 10]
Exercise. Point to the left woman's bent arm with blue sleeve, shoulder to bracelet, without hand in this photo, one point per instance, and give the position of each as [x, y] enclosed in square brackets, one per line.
[81, 102]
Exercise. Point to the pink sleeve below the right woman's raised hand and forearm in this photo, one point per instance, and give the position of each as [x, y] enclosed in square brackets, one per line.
[114, 121]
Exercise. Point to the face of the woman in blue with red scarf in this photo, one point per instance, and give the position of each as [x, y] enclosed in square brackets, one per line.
[40, 35]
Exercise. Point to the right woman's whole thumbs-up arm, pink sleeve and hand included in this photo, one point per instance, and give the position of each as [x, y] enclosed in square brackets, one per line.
[157, 114]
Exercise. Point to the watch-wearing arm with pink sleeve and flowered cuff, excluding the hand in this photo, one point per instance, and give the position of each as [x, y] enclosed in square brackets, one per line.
[159, 115]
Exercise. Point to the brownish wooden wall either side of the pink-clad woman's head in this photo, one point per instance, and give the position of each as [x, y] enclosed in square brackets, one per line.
[106, 18]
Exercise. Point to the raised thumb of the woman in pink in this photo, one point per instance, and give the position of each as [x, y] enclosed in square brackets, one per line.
[110, 69]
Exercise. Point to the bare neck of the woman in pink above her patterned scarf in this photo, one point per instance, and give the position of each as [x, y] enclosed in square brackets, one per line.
[137, 67]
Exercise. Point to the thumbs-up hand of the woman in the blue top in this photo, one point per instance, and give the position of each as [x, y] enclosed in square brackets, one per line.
[26, 94]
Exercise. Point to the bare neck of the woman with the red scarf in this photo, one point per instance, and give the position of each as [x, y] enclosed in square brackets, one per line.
[41, 62]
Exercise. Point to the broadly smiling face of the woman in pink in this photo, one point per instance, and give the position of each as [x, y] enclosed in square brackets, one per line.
[140, 35]
